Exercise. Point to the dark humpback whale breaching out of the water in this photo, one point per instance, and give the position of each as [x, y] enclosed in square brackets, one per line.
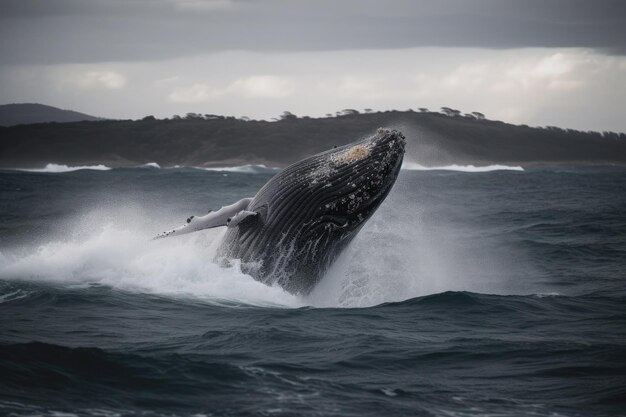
[297, 224]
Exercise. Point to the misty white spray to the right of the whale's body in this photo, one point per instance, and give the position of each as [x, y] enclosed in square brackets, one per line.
[404, 252]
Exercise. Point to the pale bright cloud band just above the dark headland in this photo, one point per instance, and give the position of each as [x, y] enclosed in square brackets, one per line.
[576, 88]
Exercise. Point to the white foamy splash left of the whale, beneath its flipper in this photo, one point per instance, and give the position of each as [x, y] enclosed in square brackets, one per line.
[119, 256]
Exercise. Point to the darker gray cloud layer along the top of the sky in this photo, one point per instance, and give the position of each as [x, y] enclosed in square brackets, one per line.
[73, 31]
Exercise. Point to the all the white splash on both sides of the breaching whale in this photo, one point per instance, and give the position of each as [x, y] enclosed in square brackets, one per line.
[401, 253]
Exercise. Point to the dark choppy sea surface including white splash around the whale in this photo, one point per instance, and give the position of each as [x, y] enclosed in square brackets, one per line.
[473, 291]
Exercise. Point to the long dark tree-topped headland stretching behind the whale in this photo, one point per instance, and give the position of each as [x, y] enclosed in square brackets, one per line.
[434, 139]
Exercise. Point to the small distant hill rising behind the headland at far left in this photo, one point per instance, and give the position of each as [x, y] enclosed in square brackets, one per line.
[27, 113]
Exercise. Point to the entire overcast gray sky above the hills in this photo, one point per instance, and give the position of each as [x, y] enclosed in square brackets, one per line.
[539, 62]
